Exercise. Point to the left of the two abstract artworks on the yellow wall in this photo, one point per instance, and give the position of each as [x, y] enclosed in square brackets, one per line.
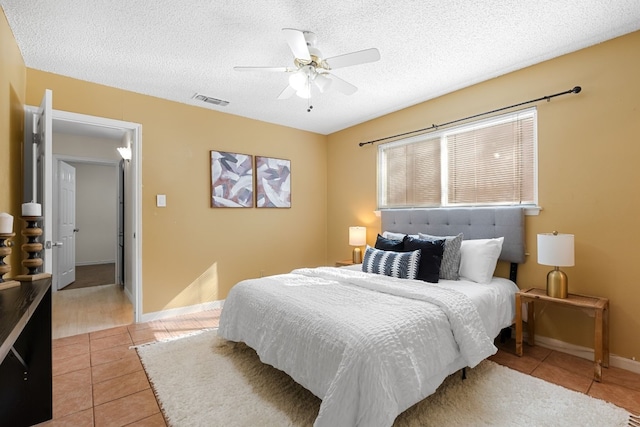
[231, 180]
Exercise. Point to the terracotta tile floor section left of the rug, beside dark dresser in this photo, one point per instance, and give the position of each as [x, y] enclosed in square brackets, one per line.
[98, 379]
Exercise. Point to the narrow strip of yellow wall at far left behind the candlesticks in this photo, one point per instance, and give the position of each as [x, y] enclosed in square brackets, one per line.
[12, 92]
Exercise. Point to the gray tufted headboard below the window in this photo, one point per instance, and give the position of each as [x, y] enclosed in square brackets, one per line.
[474, 223]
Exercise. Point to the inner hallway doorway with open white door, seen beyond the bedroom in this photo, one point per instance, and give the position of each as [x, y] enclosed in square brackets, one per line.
[87, 213]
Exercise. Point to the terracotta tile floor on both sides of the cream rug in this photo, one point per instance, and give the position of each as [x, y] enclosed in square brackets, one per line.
[98, 379]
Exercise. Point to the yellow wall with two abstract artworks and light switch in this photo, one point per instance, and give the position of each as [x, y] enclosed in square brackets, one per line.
[192, 253]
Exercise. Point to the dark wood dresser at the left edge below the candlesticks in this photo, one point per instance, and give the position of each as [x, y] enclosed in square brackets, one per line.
[25, 352]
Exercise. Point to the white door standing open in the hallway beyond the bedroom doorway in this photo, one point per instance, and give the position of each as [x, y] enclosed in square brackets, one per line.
[66, 222]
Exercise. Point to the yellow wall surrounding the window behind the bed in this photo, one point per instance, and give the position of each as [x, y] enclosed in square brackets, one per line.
[589, 148]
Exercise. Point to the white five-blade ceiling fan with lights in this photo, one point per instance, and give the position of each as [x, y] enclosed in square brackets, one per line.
[311, 69]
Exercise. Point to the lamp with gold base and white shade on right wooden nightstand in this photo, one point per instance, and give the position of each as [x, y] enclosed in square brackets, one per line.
[557, 250]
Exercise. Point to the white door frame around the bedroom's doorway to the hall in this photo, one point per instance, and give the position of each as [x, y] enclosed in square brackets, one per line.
[134, 186]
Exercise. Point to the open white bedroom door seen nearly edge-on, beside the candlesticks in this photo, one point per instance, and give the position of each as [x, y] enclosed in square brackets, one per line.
[44, 176]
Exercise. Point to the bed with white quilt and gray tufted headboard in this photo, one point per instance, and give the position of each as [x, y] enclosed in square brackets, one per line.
[369, 345]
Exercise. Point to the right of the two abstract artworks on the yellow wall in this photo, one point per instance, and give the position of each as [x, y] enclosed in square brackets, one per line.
[273, 182]
